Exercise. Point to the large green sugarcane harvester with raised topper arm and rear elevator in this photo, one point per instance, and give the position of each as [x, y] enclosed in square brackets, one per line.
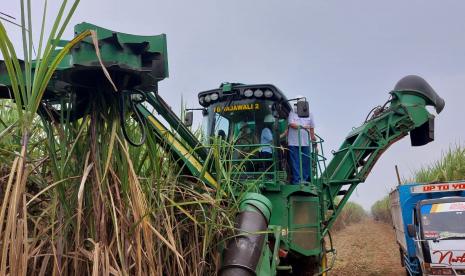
[281, 228]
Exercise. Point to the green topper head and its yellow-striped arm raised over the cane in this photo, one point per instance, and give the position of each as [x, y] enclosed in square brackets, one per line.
[135, 64]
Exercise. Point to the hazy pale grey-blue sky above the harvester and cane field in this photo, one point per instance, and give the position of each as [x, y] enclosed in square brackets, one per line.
[344, 56]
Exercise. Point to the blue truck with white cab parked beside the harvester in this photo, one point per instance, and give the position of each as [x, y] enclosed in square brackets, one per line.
[429, 222]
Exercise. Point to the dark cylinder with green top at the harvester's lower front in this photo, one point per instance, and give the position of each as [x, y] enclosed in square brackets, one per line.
[242, 253]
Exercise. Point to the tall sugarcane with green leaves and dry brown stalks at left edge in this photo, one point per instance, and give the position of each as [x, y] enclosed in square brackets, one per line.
[29, 78]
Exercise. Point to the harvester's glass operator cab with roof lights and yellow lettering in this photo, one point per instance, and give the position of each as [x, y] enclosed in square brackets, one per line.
[251, 121]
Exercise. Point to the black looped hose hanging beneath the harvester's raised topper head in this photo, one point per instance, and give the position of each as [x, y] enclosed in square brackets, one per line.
[138, 117]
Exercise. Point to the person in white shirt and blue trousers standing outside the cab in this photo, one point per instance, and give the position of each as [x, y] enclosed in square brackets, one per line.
[300, 134]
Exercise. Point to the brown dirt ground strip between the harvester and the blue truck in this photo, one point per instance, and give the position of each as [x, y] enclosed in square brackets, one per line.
[367, 248]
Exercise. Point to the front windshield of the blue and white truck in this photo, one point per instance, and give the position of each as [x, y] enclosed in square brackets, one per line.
[443, 220]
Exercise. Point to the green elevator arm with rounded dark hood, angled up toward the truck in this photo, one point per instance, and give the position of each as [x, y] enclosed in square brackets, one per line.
[405, 112]
